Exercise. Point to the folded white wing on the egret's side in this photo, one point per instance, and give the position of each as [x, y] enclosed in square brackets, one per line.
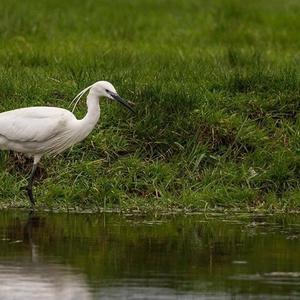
[34, 124]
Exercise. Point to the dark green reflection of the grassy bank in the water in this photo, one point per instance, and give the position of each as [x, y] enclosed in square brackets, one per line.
[196, 253]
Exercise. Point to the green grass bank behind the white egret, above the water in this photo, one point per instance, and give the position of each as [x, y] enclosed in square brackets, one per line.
[217, 92]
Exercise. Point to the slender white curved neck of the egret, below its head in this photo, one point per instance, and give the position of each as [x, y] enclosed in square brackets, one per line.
[93, 113]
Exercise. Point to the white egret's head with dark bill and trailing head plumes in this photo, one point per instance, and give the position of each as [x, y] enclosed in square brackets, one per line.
[103, 89]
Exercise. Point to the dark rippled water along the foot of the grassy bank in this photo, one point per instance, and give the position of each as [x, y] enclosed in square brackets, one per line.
[72, 256]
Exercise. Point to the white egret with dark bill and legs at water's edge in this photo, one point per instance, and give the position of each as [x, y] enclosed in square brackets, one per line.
[41, 130]
